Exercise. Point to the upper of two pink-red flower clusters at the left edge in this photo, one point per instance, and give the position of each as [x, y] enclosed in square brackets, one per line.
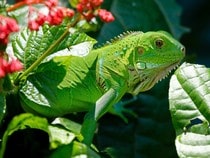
[7, 26]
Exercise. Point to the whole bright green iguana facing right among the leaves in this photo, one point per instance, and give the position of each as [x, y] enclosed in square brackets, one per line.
[133, 63]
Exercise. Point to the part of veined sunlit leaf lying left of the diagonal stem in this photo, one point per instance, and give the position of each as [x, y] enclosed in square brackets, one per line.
[28, 46]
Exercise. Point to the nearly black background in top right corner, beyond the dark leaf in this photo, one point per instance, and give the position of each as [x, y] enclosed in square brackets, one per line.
[196, 16]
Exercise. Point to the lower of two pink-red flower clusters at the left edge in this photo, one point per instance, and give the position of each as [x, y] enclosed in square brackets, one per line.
[9, 67]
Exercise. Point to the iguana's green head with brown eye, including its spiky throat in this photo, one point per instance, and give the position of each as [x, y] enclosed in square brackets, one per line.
[153, 58]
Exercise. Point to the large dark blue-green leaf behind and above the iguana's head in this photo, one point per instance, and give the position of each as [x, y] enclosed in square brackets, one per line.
[143, 15]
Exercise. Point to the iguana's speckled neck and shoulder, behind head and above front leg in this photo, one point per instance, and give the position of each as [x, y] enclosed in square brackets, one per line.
[112, 67]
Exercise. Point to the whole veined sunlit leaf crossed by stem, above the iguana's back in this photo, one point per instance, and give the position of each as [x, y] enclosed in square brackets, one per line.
[28, 45]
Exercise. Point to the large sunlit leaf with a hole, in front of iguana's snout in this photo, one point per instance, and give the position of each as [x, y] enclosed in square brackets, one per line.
[189, 97]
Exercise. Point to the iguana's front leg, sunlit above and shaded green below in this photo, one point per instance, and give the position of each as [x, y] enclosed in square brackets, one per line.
[91, 118]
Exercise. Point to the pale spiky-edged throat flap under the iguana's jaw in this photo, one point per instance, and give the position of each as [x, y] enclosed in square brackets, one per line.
[148, 80]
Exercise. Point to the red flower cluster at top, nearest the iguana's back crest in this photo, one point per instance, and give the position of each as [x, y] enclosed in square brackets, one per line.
[91, 8]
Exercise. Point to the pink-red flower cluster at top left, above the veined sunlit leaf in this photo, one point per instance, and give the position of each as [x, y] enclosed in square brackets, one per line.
[55, 15]
